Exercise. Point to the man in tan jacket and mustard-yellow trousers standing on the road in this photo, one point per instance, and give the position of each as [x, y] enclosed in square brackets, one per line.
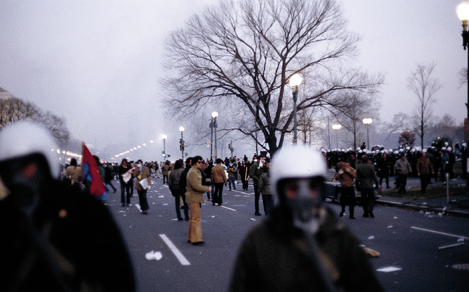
[195, 196]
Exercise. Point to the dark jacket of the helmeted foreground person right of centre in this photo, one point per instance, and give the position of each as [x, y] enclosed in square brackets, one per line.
[274, 257]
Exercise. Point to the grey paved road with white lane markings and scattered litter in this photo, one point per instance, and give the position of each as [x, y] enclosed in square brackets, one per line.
[408, 241]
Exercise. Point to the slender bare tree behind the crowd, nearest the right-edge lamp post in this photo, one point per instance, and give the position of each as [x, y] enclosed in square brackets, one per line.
[424, 86]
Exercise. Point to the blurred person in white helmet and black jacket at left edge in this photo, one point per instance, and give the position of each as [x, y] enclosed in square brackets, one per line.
[54, 236]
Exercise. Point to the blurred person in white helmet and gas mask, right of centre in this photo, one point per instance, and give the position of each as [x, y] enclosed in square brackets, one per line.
[302, 246]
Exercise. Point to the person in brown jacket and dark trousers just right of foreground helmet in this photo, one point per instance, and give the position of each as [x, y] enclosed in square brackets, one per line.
[346, 176]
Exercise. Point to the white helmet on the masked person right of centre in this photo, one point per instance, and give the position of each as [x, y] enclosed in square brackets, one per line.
[297, 161]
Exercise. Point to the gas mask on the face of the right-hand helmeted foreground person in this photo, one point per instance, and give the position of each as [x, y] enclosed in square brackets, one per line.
[306, 208]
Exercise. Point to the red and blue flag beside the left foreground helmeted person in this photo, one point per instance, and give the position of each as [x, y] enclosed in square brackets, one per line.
[91, 173]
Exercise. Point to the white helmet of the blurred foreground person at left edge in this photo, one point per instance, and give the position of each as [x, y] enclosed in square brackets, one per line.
[24, 138]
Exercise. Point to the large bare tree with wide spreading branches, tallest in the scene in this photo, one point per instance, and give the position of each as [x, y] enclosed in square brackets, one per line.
[244, 52]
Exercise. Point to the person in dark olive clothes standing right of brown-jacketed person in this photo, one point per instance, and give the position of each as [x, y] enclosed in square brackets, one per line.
[365, 177]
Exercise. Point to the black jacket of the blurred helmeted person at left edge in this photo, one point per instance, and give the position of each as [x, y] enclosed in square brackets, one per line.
[80, 231]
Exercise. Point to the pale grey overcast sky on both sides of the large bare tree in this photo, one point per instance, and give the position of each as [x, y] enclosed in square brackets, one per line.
[97, 63]
